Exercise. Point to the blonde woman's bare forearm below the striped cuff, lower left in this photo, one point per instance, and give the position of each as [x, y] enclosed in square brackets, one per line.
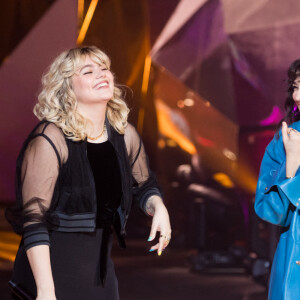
[39, 260]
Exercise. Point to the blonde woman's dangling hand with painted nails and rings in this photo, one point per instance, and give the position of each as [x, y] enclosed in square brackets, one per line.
[161, 224]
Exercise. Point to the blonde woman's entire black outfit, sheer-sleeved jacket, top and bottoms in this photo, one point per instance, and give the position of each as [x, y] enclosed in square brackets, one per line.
[71, 203]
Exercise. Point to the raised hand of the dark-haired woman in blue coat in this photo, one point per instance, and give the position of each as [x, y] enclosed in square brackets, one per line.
[291, 142]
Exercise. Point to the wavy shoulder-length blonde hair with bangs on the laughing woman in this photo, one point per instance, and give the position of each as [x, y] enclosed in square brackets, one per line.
[57, 101]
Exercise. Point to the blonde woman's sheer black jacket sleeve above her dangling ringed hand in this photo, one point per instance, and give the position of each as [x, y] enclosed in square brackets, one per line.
[145, 184]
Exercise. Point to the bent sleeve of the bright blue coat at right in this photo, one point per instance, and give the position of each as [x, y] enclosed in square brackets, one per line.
[272, 200]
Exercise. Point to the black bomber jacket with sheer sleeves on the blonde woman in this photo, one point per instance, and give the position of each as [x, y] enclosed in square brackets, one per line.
[55, 187]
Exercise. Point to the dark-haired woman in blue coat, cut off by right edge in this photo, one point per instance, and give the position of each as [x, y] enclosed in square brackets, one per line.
[278, 194]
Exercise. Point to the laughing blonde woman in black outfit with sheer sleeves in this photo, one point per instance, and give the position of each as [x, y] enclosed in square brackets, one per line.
[77, 174]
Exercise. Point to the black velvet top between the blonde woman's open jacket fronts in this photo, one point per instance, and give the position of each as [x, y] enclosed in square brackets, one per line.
[105, 167]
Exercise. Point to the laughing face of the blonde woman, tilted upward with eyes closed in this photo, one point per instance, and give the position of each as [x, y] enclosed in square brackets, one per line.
[92, 83]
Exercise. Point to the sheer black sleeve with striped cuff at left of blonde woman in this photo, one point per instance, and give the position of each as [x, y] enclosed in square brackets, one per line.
[38, 168]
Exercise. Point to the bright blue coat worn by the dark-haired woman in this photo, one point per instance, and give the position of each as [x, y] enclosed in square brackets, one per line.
[278, 201]
